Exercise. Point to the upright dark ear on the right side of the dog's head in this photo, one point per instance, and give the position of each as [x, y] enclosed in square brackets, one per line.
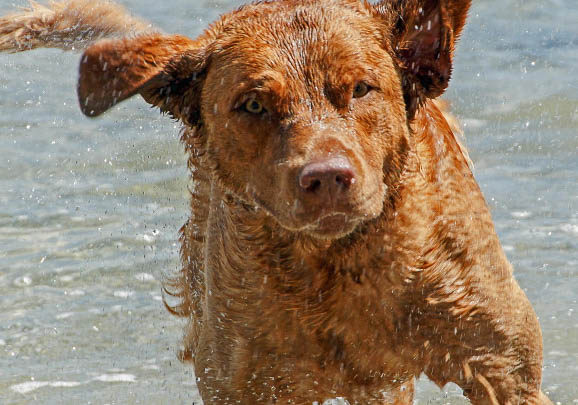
[424, 33]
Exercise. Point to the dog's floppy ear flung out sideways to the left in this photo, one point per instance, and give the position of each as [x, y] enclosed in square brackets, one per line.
[167, 71]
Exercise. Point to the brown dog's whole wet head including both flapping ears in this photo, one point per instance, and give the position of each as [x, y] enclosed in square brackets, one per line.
[304, 104]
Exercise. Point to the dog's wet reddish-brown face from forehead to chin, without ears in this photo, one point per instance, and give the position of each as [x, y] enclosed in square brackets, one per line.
[305, 116]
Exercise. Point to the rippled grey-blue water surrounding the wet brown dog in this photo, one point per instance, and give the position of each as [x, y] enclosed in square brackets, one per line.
[90, 208]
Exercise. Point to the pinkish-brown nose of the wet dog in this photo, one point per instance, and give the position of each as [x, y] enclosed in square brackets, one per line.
[332, 175]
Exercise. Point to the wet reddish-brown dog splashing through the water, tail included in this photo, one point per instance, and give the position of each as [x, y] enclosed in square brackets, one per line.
[338, 244]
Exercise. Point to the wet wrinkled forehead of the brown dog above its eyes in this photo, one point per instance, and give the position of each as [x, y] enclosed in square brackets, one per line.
[304, 42]
